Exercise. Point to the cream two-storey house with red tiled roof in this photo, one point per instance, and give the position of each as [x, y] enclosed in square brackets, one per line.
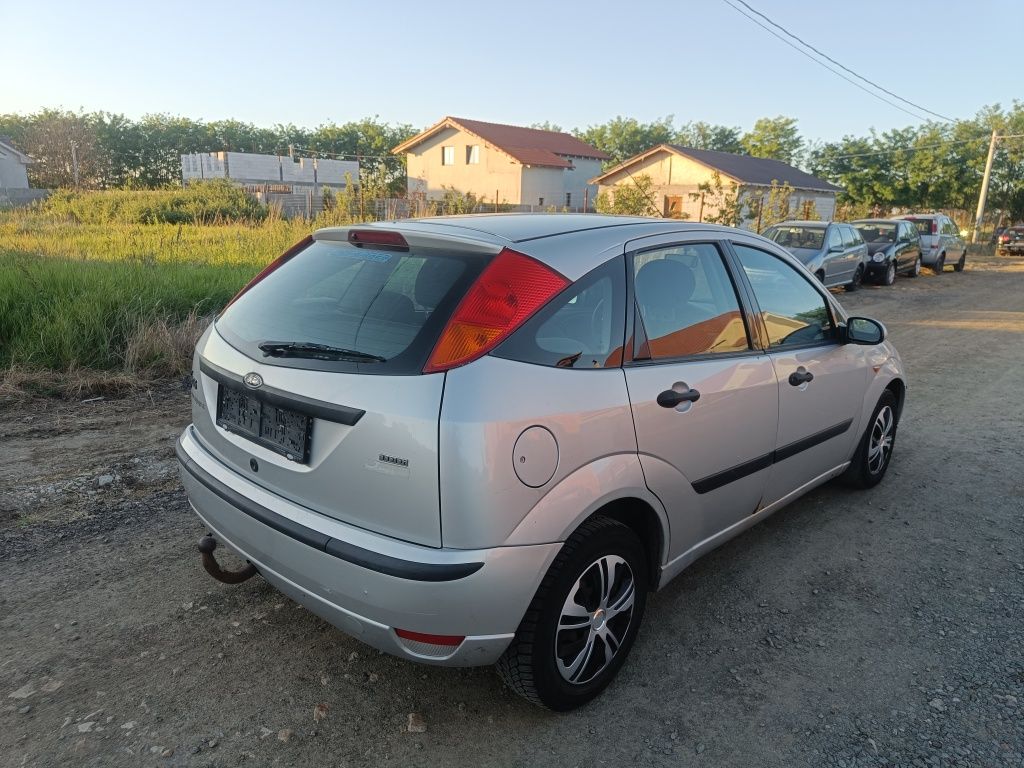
[503, 164]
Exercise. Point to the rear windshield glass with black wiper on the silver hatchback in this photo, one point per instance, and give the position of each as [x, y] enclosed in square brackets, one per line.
[378, 312]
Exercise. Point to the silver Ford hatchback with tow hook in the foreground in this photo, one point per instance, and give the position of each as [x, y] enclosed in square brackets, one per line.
[487, 440]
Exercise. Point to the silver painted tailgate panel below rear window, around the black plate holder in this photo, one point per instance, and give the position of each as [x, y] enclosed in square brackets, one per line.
[379, 474]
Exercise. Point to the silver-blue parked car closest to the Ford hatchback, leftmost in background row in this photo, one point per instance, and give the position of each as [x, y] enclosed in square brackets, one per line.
[834, 252]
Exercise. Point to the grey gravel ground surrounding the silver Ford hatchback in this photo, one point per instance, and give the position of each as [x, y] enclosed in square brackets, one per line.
[851, 629]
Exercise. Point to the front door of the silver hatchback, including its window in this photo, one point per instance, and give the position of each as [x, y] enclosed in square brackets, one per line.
[822, 382]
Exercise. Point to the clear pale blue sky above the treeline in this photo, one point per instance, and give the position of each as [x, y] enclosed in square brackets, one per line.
[571, 64]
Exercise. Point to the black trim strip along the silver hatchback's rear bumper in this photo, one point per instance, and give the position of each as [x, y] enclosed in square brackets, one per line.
[415, 572]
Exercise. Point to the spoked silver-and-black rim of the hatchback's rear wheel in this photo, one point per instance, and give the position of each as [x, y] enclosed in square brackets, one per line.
[595, 620]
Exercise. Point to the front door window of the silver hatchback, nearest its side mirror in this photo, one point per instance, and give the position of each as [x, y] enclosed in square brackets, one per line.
[793, 311]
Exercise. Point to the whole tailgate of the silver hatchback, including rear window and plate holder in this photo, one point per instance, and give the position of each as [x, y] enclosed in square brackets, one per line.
[311, 382]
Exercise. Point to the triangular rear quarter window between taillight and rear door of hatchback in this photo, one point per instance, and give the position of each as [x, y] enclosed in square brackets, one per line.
[582, 328]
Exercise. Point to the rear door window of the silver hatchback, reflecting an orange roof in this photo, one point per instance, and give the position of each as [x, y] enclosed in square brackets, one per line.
[687, 304]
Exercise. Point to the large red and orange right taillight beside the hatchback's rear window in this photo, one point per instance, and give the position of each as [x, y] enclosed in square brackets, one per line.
[507, 293]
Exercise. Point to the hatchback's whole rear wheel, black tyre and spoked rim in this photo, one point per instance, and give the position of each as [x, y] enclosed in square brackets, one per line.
[542, 661]
